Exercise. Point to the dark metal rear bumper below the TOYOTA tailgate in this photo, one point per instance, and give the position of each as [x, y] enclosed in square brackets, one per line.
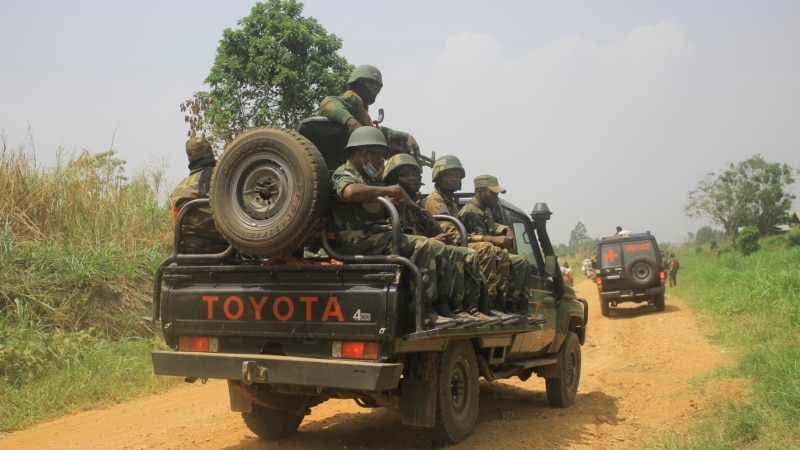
[342, 374]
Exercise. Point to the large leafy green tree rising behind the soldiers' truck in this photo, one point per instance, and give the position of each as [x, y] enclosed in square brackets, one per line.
[273, 70]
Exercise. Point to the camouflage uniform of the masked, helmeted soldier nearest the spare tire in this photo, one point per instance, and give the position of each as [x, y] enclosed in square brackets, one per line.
[362, 228]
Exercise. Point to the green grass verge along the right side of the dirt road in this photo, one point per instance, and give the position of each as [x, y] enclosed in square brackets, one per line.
[749, 304]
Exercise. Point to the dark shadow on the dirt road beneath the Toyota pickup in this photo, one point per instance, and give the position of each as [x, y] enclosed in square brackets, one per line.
[513, 414]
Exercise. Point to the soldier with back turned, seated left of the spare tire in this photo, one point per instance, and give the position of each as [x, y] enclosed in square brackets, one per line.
[198, 233]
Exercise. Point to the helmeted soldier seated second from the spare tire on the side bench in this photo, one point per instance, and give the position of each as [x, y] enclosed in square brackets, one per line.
[404, 170]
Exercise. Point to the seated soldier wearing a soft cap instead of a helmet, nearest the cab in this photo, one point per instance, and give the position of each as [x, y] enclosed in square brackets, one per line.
[477, 223]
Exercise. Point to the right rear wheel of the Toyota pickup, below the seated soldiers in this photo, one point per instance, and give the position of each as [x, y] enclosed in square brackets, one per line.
[457, 393]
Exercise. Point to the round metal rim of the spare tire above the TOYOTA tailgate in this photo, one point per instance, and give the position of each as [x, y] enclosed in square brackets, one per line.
[265, 187]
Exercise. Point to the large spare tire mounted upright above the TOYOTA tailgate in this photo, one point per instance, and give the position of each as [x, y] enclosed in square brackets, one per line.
[269, 192]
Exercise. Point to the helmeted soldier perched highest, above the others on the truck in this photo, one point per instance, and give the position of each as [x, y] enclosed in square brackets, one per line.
[351, 108]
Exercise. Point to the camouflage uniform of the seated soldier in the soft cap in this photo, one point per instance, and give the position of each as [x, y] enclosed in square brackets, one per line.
[512, 288]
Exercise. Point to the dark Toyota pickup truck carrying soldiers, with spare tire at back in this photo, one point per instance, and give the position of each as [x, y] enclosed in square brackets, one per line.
[290, 323]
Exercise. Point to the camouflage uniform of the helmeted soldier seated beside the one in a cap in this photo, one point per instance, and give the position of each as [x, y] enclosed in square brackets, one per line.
[485, 254]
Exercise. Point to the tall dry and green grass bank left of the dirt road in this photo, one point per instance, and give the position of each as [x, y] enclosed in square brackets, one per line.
[79, 243]
